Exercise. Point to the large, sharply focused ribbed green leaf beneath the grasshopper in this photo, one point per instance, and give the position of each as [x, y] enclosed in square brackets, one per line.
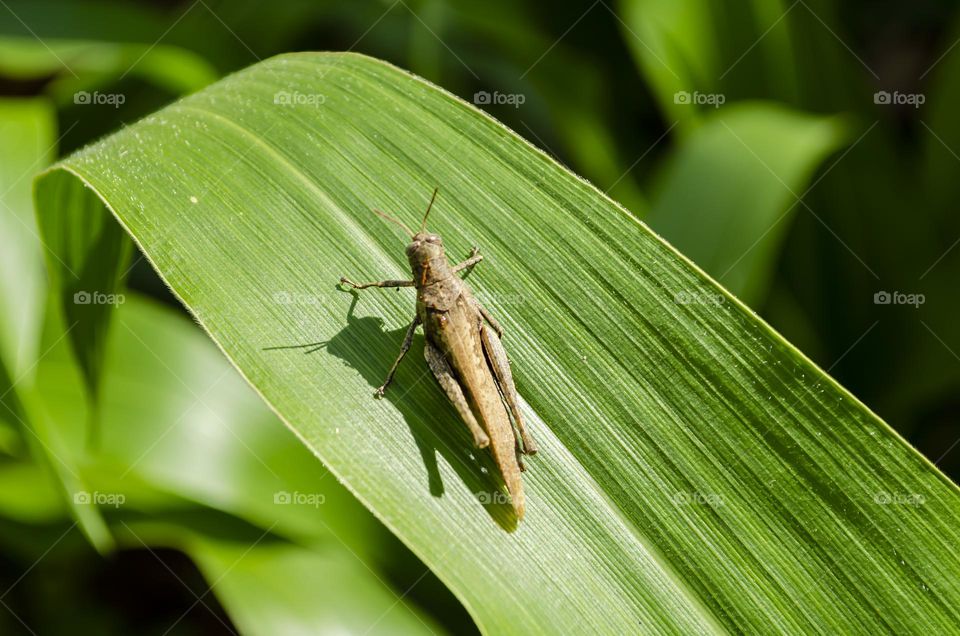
[697, 473]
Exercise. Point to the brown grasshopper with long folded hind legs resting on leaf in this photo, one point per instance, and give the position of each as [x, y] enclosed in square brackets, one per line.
[465, 356]
